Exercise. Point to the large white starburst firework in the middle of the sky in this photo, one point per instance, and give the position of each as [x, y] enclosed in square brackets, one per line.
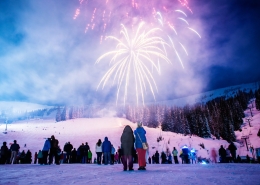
[132, 59]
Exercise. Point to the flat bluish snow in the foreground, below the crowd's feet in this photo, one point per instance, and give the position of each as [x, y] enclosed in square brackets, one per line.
[165, 174]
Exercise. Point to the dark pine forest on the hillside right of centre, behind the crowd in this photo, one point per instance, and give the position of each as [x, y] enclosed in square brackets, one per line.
[219, 117]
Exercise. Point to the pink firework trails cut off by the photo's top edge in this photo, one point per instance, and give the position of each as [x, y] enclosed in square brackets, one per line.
[101, 15]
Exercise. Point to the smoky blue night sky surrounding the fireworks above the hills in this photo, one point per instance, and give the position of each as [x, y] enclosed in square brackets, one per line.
[46, 57]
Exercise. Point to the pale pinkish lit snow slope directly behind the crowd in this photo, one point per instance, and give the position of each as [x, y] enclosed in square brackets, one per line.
[83, 130]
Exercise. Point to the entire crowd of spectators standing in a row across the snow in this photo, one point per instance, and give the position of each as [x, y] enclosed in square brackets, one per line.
[134, 149]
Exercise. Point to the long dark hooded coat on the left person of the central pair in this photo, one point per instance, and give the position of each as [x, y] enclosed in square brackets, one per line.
[127, 141]
